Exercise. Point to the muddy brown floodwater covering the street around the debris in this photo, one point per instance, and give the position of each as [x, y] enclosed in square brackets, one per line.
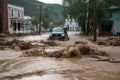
[14, 67]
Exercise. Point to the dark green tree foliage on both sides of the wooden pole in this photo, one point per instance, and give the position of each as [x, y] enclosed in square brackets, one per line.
[82, 11]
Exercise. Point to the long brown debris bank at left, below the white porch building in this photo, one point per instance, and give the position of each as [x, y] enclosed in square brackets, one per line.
[23, 45]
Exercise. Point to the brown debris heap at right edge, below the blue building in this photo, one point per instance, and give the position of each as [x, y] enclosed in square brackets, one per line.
[110, 41]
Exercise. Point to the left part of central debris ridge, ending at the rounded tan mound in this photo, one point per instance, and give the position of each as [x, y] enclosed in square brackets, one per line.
[64, 53]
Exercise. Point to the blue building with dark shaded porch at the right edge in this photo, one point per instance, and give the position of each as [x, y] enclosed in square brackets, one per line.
[112, 25]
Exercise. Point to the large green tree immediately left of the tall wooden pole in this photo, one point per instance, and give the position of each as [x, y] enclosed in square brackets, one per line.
[77, 9]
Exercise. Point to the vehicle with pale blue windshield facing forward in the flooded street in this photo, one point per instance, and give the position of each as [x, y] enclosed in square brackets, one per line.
[58, 33]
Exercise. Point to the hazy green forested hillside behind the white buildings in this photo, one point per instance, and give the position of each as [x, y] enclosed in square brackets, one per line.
[31, 8]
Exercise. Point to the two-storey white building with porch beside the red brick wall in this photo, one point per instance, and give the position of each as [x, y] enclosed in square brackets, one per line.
[16, 21]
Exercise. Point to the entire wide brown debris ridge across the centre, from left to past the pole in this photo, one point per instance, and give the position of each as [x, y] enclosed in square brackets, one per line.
[71, 51]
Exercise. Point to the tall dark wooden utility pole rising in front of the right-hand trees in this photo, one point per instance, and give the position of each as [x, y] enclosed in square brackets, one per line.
[95, 20]
